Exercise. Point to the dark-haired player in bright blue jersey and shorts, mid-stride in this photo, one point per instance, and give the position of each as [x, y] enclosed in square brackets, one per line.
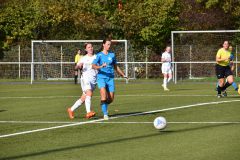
[106, 63]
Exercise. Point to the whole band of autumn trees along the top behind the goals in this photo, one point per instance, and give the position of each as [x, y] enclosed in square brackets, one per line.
[144, 23]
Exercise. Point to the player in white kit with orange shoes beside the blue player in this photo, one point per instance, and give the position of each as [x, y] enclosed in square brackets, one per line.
[88, 82]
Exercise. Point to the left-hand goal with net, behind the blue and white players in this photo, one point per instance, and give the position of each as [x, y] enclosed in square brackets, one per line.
[54, 59]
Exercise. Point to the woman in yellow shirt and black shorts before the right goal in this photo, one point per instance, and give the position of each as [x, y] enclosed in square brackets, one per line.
[223, 70]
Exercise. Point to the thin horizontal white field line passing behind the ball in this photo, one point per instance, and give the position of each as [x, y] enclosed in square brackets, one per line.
[107, 122]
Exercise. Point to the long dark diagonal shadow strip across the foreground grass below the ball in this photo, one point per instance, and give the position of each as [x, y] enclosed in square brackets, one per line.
[102, 143]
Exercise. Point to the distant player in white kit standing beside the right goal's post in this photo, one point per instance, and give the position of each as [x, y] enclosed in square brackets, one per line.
[166, 67]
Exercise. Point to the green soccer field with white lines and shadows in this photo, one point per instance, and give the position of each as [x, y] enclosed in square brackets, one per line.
[34, 123]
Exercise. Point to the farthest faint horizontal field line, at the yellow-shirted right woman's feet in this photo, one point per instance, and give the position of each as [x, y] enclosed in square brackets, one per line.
[132, 95]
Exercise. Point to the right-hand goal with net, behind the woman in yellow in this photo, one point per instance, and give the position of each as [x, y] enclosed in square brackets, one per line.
[194, 52]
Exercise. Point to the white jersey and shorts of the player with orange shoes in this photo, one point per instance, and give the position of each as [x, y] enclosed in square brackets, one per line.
[88, 73]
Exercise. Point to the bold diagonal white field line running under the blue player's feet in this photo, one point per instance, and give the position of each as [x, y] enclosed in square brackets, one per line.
[121, 116]
